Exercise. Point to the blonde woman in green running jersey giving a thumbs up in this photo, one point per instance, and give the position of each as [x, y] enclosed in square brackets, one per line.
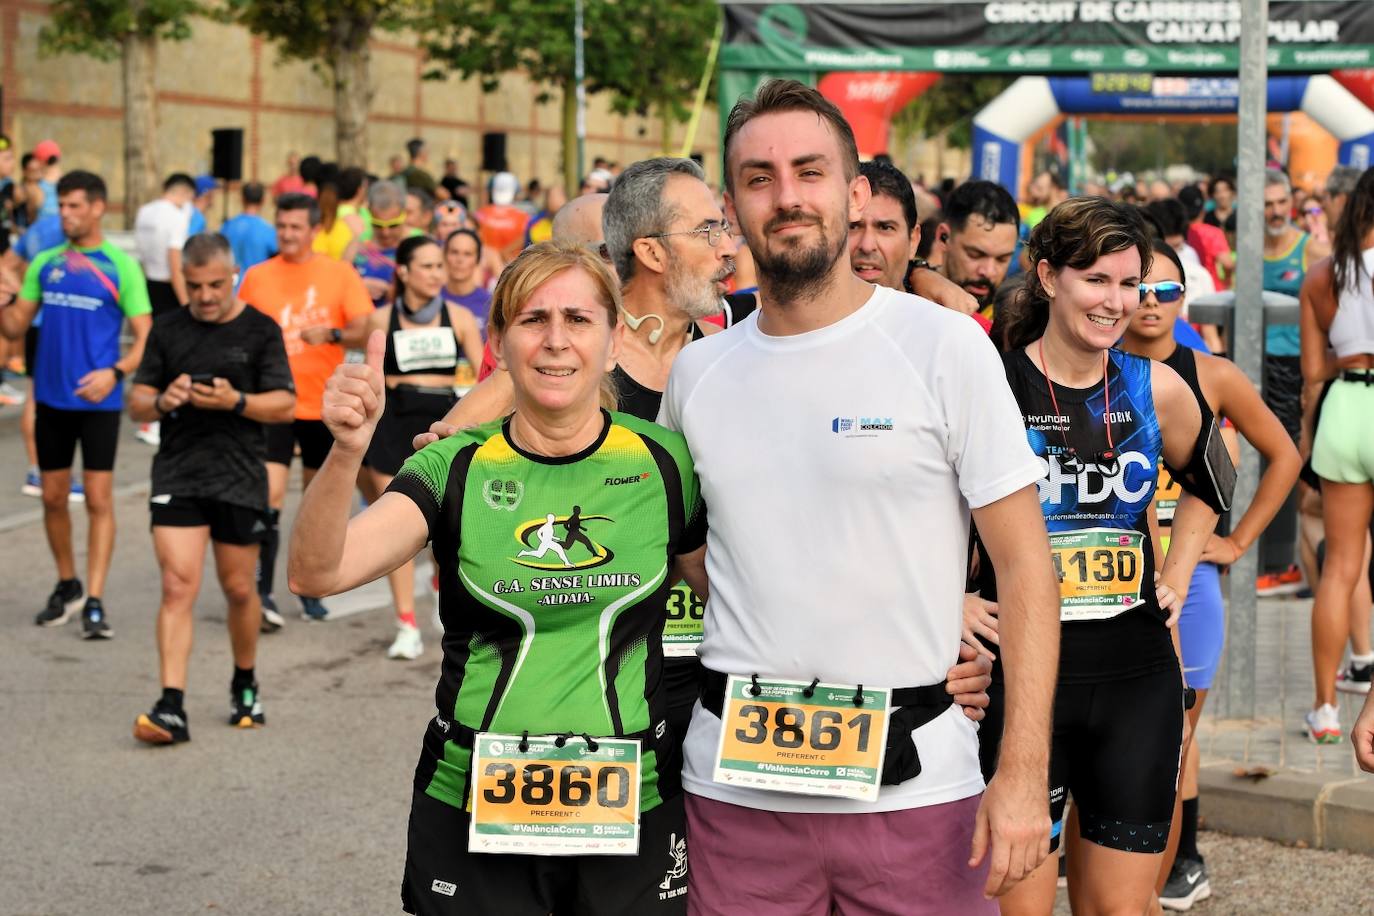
[556, 532]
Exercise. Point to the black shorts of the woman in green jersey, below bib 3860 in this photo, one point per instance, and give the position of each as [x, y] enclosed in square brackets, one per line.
[444, 880]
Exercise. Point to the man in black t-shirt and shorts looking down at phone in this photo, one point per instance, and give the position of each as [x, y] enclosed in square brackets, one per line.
[214, 374]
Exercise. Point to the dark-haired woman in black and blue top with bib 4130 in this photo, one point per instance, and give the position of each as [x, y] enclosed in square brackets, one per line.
[1101, 420]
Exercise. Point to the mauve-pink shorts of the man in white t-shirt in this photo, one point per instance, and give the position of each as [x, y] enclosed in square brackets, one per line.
[756, 863]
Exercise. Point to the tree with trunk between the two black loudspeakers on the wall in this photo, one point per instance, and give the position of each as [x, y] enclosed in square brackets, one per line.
[333, 35]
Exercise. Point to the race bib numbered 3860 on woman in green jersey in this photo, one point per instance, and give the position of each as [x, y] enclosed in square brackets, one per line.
[554, 796]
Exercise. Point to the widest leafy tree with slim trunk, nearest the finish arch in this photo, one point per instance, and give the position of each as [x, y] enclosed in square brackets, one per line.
[649, 54]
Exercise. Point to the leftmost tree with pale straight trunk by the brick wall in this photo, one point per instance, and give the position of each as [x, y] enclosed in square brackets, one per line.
[130, 31]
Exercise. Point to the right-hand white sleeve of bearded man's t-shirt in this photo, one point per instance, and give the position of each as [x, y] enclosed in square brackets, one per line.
[986, 436]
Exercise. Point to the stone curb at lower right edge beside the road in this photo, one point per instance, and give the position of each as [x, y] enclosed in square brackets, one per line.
[1316, 811]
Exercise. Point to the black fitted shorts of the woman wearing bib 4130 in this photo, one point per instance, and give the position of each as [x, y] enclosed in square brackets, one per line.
[1115, 749]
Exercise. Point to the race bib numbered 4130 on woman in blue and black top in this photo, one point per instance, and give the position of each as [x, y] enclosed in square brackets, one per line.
[1101, 572]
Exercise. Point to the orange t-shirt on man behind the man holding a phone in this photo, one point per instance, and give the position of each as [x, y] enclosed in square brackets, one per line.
[318, 293]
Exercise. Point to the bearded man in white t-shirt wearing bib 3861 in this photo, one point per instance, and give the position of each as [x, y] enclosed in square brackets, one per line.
[842, 435]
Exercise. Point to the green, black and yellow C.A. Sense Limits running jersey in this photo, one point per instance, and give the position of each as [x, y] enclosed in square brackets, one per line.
[553, 582]
